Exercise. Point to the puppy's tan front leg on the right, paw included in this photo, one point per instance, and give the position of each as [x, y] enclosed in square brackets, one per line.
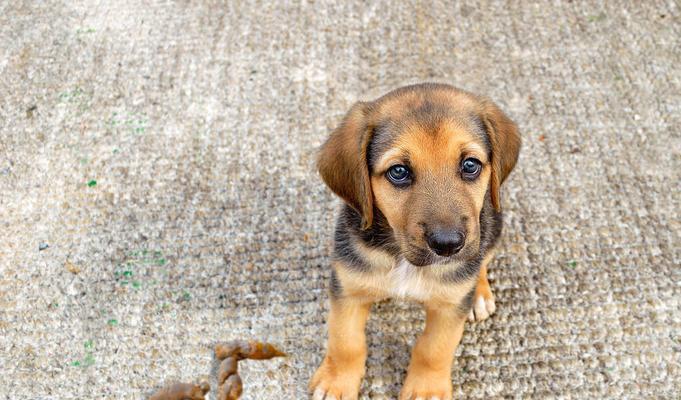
[430, 369]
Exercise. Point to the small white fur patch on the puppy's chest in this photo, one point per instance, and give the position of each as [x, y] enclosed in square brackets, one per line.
[408, 281]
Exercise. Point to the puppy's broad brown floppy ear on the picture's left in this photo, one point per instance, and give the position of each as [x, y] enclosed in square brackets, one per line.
[342, 162]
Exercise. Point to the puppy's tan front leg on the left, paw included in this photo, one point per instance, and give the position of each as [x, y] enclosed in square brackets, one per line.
[341, 372]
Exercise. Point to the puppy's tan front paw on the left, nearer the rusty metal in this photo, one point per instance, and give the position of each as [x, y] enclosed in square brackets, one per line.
[335, 382]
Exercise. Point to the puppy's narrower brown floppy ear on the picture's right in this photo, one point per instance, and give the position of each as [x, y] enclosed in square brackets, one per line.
[505, 142]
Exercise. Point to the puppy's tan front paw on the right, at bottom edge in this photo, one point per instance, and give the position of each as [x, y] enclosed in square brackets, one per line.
[425, 384]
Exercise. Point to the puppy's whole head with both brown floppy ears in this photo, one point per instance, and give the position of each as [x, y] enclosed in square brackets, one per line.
[425, 157]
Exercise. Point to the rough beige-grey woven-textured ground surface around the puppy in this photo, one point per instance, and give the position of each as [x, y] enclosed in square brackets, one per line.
[158, 193]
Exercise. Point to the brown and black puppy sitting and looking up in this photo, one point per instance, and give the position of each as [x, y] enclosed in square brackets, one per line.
[420, 170]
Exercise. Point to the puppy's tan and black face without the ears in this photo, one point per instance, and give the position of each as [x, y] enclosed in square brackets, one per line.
[429, 175]
